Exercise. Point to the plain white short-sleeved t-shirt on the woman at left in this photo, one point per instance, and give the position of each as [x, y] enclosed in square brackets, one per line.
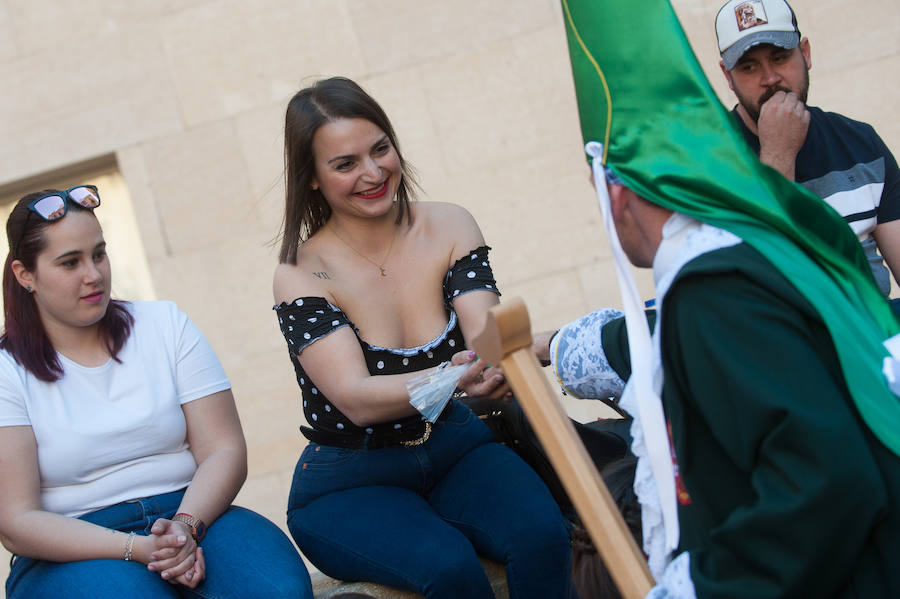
[116, 432]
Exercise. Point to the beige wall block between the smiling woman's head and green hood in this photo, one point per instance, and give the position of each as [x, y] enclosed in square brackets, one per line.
[504, 101]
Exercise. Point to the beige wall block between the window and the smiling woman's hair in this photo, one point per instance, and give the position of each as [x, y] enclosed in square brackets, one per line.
[199, 181]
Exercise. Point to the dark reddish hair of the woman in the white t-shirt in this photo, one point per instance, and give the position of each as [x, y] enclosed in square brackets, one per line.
[24, 336]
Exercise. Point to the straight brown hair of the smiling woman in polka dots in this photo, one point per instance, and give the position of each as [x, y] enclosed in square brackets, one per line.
[306, 210]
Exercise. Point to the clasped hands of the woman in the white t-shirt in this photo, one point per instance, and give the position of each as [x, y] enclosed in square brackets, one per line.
[175, 554]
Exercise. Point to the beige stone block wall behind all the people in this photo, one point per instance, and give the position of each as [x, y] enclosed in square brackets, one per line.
[188, 97]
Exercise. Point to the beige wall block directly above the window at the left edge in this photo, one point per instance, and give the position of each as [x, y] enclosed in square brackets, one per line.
[75, 101]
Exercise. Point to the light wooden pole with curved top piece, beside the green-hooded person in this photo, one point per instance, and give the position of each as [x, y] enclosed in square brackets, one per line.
[506, 340]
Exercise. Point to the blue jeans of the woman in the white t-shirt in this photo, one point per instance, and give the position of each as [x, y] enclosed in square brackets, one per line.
[246, 556]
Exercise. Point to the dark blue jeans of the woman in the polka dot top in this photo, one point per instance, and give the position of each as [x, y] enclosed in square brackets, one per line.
[417, 518]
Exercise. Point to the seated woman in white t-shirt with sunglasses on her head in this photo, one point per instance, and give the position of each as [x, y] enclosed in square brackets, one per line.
[120, 445]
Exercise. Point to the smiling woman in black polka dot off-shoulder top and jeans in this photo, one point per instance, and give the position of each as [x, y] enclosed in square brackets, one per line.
[371, 290]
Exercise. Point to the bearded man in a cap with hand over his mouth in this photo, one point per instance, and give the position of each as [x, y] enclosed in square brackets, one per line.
[766, 62]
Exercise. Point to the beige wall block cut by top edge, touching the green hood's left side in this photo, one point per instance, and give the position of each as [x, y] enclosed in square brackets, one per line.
[432, 30]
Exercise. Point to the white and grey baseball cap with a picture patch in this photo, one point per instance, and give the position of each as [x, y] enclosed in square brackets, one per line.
[742, 24]
